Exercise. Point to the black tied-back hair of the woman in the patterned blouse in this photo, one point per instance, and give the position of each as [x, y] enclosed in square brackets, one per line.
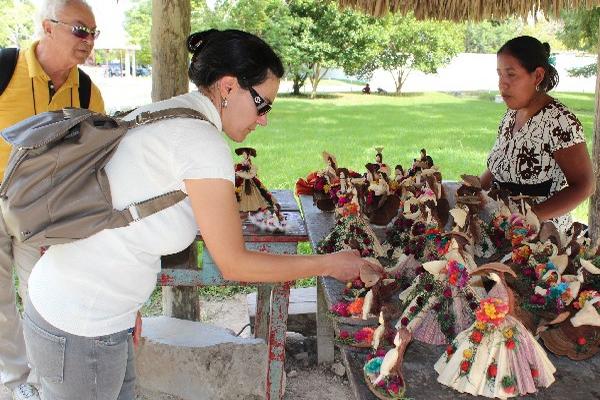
[532, 54]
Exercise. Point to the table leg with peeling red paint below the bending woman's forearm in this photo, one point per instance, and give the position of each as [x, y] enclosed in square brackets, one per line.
[276, 341]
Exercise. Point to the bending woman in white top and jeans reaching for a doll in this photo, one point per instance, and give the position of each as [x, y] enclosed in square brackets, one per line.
[84, 295]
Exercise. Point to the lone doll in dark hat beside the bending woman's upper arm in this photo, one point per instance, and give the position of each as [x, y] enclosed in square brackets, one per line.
[251, 194]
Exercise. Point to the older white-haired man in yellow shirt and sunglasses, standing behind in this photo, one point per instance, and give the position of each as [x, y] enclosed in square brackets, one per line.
[45, 78]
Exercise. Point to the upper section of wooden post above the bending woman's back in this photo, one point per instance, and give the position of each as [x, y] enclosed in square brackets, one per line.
[170, 29]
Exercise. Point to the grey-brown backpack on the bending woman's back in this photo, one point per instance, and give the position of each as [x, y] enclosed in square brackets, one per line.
[55, 189]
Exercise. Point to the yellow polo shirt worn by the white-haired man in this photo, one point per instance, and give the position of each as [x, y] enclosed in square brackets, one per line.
[27, 94]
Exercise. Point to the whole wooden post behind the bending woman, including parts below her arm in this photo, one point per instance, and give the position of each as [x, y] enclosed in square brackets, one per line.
[170, 29]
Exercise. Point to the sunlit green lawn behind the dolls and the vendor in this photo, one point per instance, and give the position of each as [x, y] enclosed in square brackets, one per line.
[458, 132]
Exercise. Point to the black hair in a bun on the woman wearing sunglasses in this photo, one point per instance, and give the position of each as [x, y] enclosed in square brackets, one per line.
[231, 53]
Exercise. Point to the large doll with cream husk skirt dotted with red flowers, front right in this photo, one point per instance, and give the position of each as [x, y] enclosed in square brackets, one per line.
[497, 356]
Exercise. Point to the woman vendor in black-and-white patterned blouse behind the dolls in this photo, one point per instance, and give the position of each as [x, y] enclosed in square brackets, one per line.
[540, 149]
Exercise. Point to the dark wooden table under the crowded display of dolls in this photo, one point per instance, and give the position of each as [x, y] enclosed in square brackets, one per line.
[574, 380]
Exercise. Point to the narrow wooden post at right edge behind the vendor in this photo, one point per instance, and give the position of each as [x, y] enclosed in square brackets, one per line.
[594, 216]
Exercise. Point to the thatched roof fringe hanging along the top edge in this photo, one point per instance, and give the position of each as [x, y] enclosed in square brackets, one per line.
[460, 10]
